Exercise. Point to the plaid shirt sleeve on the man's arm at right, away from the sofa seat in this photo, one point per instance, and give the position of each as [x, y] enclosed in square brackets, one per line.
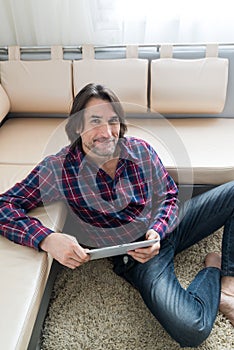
[165, 202]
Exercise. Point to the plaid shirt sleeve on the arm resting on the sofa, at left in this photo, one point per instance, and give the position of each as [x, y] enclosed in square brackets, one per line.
[37, 189]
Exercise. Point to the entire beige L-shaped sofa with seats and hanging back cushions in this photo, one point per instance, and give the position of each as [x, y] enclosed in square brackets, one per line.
[194, 140]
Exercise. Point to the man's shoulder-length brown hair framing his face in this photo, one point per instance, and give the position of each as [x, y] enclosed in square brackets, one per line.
[76, 118]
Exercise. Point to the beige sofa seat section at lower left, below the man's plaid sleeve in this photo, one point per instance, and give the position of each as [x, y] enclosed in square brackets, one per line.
[24, 273]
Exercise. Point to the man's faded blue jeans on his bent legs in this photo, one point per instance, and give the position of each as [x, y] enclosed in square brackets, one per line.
[187, 315]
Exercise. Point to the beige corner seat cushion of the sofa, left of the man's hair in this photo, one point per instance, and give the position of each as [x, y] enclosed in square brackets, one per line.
[29, 140]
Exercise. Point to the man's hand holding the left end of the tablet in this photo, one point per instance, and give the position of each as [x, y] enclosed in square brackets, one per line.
[65, 249]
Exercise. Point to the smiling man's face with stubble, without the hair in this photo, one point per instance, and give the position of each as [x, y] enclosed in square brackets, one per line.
[101, 130]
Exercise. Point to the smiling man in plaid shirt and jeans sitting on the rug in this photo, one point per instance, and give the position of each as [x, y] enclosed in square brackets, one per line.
[120, 192]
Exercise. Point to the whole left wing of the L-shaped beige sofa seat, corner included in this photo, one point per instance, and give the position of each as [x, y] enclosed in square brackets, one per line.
[24, 271]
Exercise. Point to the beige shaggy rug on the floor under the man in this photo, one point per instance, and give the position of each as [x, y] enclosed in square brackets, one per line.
[93, 309]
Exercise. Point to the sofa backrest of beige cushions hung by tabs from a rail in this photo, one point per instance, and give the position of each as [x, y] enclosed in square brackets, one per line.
[190, 84]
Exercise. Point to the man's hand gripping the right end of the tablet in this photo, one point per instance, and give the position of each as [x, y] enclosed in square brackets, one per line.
[145, 254]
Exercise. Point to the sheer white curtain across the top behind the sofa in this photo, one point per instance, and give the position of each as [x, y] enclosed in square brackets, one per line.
[114, 22]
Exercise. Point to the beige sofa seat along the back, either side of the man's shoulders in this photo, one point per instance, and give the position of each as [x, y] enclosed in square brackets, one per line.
[194, 150]
